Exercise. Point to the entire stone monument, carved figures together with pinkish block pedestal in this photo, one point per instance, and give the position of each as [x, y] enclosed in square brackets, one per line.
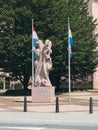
[43, 91]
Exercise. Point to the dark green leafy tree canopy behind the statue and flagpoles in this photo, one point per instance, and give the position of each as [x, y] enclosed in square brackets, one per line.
[51, 22]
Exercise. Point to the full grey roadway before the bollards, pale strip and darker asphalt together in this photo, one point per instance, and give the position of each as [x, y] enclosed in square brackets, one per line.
[48, 121]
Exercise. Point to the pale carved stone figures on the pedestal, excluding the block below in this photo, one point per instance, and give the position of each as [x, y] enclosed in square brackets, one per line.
[43, 64]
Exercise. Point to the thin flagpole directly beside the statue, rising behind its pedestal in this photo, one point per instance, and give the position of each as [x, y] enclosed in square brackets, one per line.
[32, 57]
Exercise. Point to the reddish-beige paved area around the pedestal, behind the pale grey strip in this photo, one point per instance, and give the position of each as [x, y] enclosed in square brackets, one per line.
[79, 103]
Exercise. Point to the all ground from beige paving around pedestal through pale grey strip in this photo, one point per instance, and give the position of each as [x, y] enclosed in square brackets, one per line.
[74, 113]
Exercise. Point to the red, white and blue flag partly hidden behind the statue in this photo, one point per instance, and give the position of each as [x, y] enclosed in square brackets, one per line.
[34, 39]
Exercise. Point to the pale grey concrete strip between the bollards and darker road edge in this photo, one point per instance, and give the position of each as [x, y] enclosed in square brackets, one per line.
[49, 118]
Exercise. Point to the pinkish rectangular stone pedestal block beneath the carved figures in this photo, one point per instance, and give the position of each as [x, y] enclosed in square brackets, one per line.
[43, 94]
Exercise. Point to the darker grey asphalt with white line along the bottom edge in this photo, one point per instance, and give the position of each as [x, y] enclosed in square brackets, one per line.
[11, 126]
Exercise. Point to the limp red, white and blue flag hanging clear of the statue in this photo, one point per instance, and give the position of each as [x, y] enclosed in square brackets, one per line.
[70, 41]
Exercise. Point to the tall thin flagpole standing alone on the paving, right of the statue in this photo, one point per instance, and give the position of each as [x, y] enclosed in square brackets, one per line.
[69, 73]
